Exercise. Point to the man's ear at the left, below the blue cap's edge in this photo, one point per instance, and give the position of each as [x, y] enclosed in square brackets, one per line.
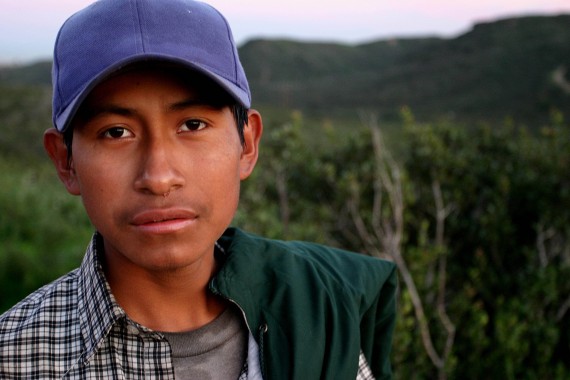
[57, 151]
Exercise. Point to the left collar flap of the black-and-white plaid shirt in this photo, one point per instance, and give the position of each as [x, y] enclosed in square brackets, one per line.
[98, 310]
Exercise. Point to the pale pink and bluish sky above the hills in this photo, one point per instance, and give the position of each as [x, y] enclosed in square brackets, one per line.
[28, 27]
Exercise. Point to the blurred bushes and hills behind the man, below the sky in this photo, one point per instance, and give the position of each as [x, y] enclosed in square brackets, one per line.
[475, 170]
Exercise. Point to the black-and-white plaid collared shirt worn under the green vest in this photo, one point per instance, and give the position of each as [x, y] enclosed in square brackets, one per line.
[74, 329]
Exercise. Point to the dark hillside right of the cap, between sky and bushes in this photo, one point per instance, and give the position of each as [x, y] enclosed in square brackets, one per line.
[498, 69]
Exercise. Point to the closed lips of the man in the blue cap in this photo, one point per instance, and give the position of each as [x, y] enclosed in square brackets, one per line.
[163, 220]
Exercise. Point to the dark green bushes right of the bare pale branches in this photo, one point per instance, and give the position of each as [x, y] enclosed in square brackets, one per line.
[508, 188]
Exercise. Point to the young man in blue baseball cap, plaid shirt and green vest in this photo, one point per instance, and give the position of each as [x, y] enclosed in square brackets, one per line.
[153, 130]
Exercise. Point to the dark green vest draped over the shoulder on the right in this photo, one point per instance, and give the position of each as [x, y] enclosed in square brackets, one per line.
[311, 308]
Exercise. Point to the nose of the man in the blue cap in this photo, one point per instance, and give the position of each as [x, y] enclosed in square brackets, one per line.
[158, 174]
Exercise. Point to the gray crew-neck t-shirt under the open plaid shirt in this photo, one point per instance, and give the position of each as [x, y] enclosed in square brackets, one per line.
[215, 351]
